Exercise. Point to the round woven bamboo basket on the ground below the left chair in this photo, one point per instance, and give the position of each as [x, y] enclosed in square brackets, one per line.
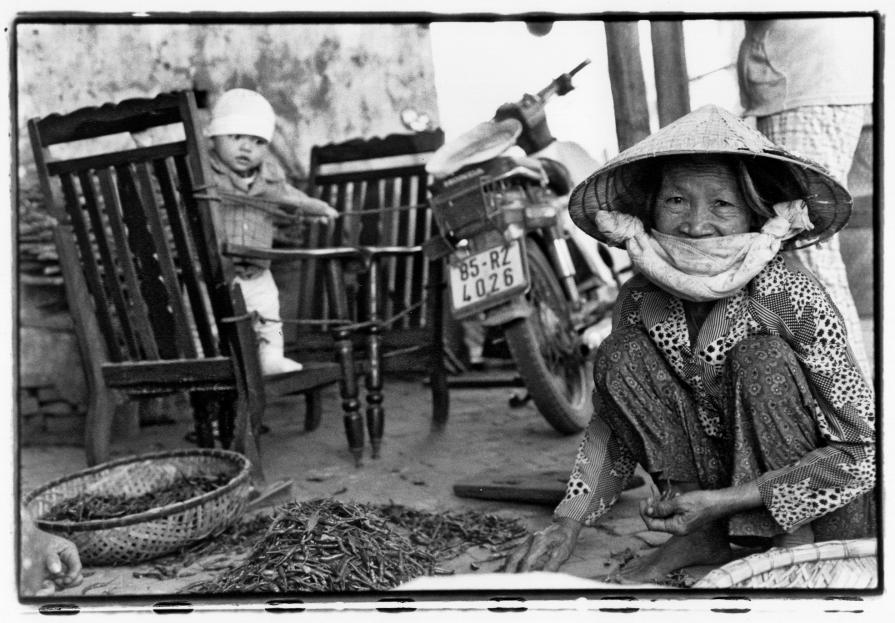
[155, 532]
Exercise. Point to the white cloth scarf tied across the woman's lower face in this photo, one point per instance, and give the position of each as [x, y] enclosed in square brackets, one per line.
[704, 269]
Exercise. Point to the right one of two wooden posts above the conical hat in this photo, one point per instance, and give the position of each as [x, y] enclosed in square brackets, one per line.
[670, 66]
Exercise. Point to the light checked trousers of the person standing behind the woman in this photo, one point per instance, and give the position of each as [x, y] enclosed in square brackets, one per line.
[829, 136]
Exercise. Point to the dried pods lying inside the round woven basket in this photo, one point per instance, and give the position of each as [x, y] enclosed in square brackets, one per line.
[92, 506]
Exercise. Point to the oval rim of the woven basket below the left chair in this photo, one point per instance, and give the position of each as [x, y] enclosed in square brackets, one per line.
[149, 515]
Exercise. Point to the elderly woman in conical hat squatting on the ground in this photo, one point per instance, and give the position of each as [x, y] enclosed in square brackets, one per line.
[727, 375]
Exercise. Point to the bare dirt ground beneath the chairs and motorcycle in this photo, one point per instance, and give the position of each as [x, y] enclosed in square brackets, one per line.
[418, 468]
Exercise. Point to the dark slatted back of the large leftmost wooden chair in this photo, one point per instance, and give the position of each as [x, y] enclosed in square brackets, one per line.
[137, 221]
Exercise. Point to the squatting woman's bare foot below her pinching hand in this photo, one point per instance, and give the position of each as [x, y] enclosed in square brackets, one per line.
[705, 547]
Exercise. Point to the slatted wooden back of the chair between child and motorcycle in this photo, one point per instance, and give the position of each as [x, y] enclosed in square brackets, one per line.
[380, 186]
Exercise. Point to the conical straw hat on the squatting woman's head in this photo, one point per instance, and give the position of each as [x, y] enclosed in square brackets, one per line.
[618, 185]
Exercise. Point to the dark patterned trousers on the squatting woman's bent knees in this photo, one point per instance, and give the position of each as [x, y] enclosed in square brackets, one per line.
[766, 423]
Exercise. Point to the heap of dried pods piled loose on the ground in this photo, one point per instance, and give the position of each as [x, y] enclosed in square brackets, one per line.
[327, 545]
